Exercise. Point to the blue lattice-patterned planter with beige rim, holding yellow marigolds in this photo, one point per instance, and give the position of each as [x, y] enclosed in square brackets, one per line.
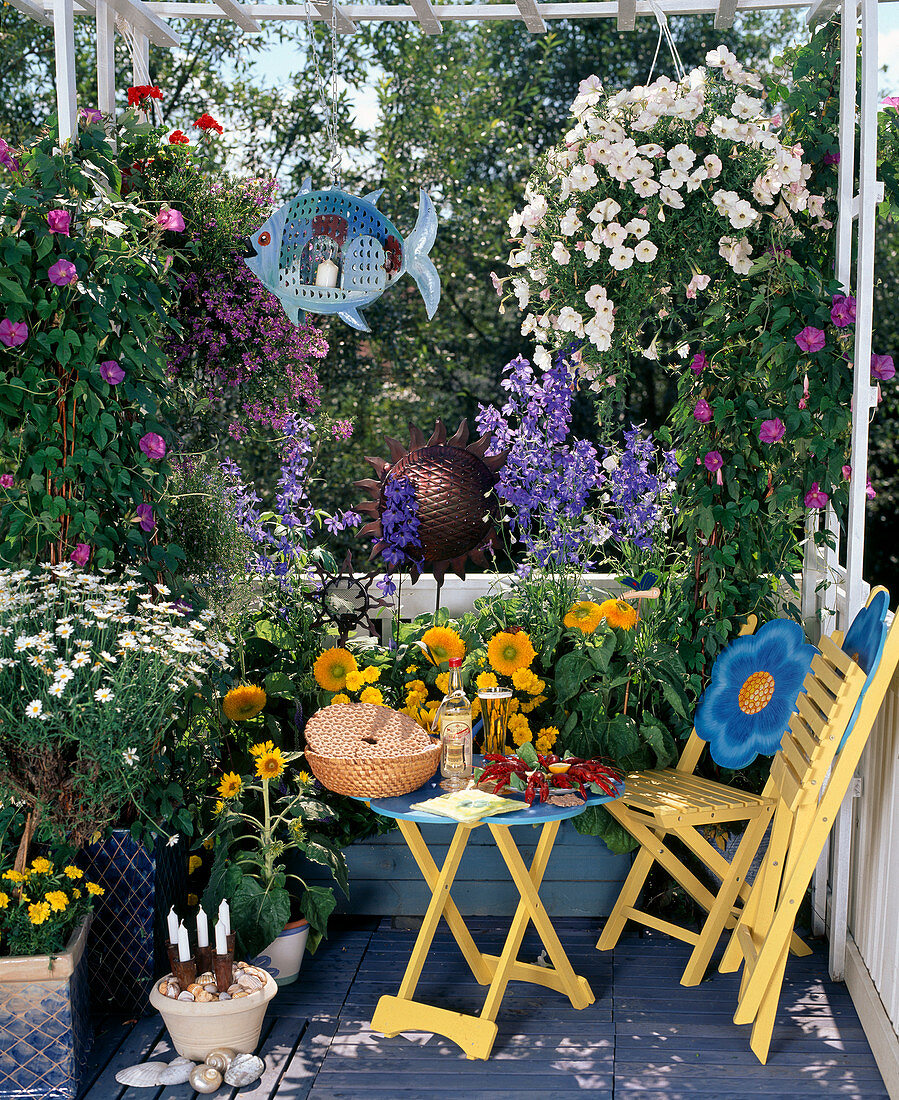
[46, 1032]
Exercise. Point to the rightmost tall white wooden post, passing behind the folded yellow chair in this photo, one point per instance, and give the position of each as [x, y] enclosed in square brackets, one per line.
[864, 399]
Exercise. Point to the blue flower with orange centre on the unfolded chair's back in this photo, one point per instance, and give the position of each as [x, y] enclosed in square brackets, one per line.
[757, 681]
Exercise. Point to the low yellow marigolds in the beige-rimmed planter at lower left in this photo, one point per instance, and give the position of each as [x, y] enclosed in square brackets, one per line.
[42, 905]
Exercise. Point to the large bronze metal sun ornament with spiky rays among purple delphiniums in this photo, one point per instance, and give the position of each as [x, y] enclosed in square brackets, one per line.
[453, 481]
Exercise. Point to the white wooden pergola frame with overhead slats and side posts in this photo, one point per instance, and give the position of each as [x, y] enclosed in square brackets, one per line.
[149, 26]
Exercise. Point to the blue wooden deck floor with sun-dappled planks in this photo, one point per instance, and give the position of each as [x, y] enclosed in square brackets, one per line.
[646, 1037]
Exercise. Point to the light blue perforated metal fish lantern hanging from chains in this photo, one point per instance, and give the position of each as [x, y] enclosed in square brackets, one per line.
[330, 252]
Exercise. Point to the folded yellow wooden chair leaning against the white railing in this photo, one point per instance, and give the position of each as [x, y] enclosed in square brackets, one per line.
[808, 801]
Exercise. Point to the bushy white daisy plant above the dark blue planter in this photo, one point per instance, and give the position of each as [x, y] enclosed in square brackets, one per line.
[93, 670]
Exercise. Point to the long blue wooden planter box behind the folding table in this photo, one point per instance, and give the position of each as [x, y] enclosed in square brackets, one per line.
[584, 877]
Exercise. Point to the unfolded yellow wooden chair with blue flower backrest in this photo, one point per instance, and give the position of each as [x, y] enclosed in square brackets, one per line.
[675, 802]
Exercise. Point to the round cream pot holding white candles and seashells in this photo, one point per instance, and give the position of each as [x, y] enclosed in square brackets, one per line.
[195, 1030]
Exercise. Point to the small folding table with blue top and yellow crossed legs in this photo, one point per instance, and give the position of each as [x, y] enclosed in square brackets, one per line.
[476, 1035]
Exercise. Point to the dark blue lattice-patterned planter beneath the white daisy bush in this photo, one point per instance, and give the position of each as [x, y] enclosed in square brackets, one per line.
[127, 944]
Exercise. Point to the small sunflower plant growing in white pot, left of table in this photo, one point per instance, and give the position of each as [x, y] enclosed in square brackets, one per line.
[265, 824]
